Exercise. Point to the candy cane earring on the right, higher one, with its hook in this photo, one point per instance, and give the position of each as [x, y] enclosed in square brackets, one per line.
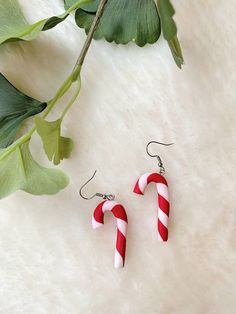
[162, 191]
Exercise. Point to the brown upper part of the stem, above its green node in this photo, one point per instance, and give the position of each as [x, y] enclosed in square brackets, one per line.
[92, 30]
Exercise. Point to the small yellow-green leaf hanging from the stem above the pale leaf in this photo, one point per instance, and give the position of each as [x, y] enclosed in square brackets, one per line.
[56, 147]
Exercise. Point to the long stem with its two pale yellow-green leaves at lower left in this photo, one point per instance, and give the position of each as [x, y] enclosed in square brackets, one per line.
[27, 174]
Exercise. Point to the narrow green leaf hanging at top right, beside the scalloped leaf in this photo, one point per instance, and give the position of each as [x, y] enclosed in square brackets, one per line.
[169, 29]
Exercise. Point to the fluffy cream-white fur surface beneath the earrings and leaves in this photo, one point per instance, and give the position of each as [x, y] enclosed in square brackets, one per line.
[51, 261]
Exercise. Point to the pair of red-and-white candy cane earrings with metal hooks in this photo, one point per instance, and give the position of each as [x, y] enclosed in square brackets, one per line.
[109, 204]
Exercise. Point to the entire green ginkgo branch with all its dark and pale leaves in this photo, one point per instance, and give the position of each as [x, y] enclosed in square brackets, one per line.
[120, 21]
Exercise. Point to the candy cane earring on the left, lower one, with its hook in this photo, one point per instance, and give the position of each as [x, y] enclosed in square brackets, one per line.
[109, 204]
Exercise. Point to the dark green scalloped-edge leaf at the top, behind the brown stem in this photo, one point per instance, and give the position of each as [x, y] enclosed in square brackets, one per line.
[123, 21]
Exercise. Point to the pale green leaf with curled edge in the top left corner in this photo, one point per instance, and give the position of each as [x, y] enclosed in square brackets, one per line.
[14, 27]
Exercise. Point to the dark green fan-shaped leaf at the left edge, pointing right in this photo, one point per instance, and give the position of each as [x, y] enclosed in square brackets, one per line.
[15, 107]
